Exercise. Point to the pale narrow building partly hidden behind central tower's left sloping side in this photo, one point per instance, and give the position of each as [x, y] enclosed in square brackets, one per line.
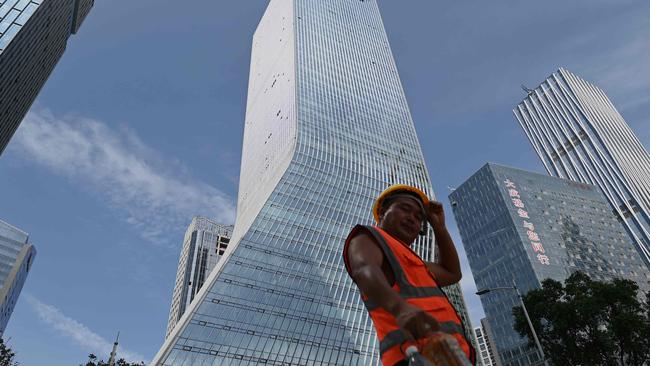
[204, 244]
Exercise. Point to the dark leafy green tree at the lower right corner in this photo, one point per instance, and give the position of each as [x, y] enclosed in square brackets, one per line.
[587, 322]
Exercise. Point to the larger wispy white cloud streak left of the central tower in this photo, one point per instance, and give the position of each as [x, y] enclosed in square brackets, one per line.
[155, 195]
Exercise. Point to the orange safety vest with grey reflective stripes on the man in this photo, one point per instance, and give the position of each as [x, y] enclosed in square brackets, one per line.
[415, 284]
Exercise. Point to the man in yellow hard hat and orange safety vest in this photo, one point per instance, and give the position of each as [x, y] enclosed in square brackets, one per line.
[401, 291]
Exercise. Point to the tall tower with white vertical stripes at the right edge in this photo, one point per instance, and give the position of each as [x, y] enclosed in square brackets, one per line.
[579, 135]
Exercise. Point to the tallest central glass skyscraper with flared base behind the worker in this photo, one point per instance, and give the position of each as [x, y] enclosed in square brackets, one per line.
[327, 129]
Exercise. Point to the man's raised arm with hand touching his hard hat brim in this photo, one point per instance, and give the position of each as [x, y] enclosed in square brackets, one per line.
[447, 270]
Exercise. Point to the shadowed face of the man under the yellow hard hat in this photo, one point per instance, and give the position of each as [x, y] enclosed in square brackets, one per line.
[403, 219]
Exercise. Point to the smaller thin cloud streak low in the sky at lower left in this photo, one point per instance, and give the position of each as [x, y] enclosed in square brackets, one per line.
[77, 332]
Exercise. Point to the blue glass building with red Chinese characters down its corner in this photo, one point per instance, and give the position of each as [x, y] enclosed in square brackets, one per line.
[525, 227]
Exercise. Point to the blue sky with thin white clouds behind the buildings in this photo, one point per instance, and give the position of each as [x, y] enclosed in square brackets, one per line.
[140, 126]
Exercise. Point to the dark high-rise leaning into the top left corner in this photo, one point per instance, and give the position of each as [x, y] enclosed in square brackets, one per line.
[33, 37]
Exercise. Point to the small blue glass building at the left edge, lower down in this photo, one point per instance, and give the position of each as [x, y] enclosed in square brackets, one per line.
[16, 258]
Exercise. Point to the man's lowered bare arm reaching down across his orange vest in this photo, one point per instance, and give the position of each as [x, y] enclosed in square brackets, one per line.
[371, 274]
